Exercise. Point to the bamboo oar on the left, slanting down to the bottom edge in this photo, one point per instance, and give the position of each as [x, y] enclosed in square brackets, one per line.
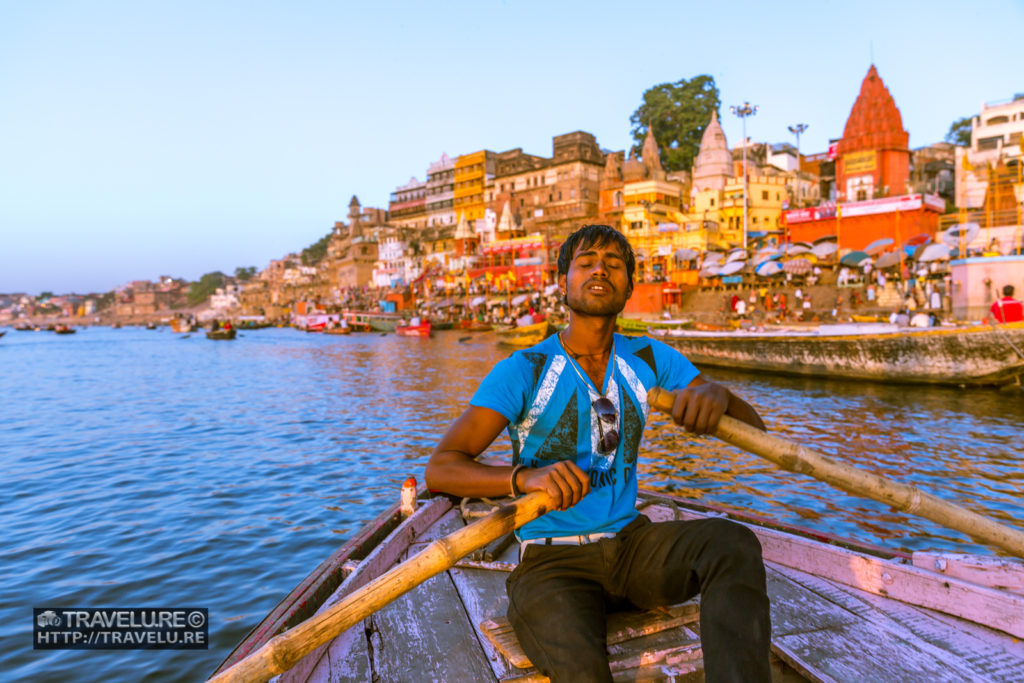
[283, 652]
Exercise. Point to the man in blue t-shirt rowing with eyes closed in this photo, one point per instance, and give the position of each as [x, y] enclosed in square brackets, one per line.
[575, 407]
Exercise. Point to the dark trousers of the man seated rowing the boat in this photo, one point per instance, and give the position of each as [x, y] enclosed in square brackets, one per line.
[560, 596]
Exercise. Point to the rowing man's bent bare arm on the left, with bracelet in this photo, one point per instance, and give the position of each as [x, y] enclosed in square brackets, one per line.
[452, 468]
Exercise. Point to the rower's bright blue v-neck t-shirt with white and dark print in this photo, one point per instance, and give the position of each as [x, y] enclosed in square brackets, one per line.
[547, 399]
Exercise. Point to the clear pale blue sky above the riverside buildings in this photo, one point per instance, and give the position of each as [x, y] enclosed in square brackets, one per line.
[180, 138]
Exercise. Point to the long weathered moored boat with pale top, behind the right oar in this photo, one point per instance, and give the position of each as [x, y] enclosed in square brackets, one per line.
[973, 356]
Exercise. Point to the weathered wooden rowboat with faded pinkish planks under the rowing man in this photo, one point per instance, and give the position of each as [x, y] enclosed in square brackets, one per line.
[840, 612]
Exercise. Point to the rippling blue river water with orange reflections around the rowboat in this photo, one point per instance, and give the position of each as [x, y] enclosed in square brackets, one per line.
[143, 468]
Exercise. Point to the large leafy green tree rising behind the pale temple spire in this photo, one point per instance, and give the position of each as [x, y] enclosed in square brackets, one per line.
[678, 112]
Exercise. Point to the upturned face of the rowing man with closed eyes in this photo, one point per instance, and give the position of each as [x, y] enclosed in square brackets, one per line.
[598, 283]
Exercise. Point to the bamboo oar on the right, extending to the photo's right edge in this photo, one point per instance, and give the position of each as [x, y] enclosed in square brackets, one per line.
[795, 458]
